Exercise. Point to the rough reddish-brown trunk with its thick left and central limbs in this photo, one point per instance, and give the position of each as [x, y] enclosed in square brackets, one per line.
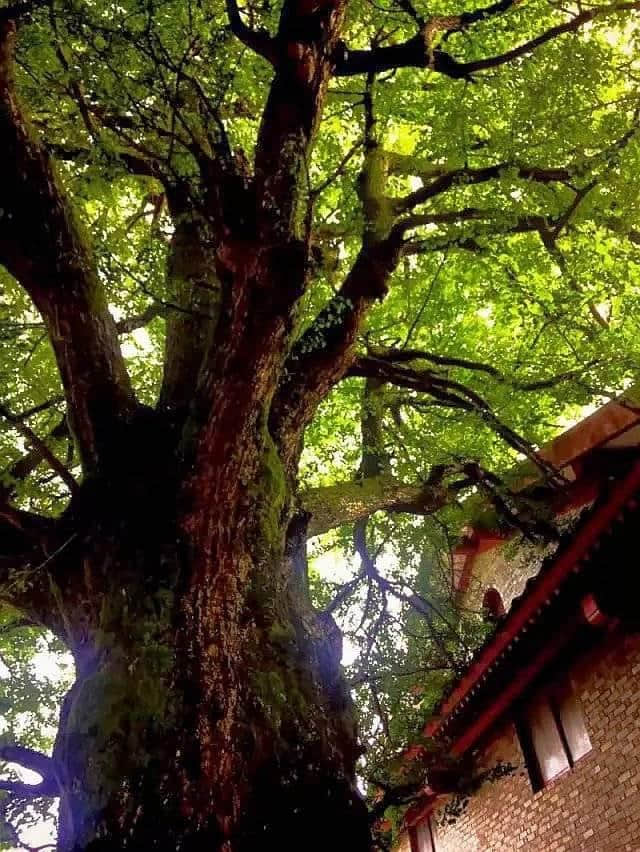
[209, 710]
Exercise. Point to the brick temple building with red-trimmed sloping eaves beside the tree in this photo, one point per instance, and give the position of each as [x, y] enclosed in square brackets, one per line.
[548, 710]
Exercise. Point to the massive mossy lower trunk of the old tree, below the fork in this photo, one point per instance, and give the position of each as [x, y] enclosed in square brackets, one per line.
[209, 710]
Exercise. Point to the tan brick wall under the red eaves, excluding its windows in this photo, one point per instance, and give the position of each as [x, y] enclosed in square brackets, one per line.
[595, 806]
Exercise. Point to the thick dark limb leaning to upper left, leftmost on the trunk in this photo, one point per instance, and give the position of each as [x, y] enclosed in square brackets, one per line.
[42, 247]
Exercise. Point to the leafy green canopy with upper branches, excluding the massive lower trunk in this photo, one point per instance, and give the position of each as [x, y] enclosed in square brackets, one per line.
[468, 203]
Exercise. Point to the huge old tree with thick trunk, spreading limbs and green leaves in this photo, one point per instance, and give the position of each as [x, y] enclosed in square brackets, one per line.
[401, 236]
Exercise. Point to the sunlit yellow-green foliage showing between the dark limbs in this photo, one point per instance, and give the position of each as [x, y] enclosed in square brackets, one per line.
[541, 284]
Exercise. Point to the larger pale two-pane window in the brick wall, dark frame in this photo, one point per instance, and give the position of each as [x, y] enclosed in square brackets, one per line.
[552, 733]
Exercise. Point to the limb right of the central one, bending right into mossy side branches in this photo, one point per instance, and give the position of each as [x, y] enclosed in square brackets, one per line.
[323, 355]
